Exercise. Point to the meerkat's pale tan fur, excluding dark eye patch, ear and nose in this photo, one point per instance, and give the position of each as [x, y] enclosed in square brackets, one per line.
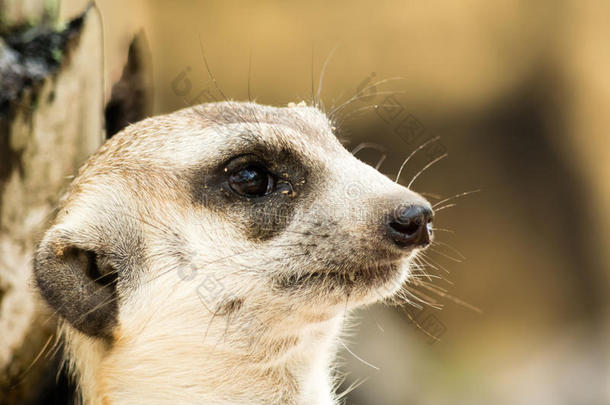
[249, 342]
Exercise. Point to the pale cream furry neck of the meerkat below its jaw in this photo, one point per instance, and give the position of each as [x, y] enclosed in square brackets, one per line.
[287, 368]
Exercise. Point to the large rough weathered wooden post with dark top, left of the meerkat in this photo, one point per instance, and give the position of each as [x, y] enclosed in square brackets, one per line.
[51, 119]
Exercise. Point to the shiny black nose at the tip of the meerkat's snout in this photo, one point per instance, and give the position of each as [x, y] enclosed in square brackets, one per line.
[409, 226]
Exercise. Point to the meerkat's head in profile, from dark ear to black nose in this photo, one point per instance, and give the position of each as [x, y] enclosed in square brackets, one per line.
[223, 207]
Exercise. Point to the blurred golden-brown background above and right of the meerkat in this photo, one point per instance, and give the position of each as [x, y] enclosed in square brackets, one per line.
[518, 91]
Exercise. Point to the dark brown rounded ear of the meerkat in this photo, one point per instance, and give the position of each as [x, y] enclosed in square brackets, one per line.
[79, 284]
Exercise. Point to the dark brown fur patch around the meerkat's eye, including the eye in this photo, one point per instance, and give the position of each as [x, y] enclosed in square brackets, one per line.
[256, 192]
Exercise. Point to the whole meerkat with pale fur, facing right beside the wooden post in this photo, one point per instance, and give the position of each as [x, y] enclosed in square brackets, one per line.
[211, 256]
